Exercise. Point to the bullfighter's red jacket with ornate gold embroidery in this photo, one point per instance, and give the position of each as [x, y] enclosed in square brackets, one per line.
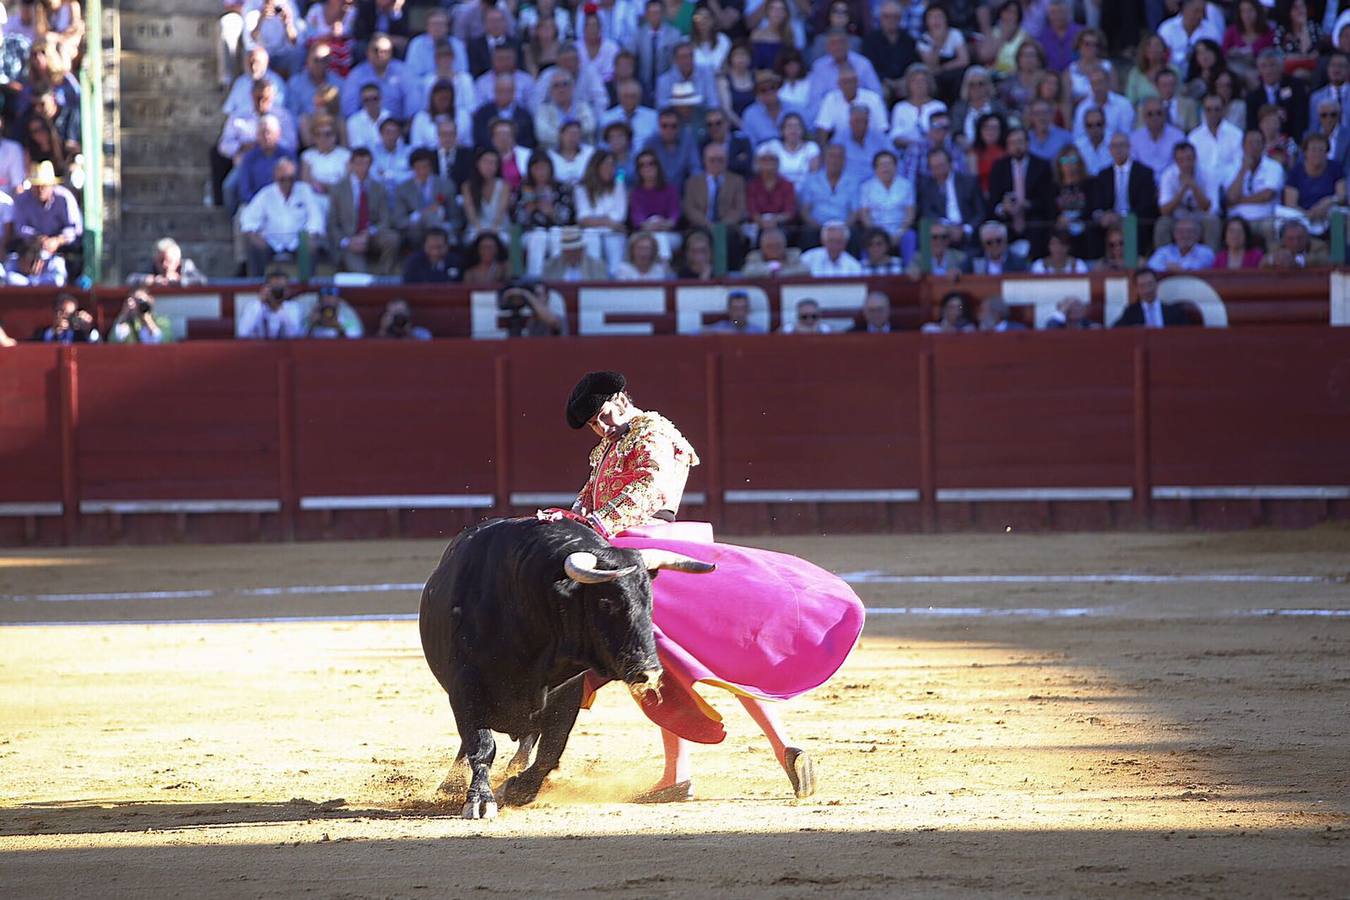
[638, 476]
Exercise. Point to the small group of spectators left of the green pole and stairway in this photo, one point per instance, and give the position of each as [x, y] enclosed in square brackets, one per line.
[41, 159]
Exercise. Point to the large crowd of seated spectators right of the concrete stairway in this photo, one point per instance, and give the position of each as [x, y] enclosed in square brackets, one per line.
[785, 136]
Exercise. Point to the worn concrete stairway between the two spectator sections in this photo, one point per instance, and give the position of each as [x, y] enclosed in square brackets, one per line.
[168, 110]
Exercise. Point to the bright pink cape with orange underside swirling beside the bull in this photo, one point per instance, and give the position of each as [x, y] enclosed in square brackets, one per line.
[765, 625]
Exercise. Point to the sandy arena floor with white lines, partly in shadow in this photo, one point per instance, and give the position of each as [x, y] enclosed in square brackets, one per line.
[1043, 739]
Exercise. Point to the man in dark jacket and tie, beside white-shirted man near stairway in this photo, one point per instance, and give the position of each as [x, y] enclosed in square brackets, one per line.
[360, 223]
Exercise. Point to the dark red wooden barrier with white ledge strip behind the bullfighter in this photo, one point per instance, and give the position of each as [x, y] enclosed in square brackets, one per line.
[831, 434]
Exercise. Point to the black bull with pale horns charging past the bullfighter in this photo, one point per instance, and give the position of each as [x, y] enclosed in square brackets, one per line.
[515, 615]
